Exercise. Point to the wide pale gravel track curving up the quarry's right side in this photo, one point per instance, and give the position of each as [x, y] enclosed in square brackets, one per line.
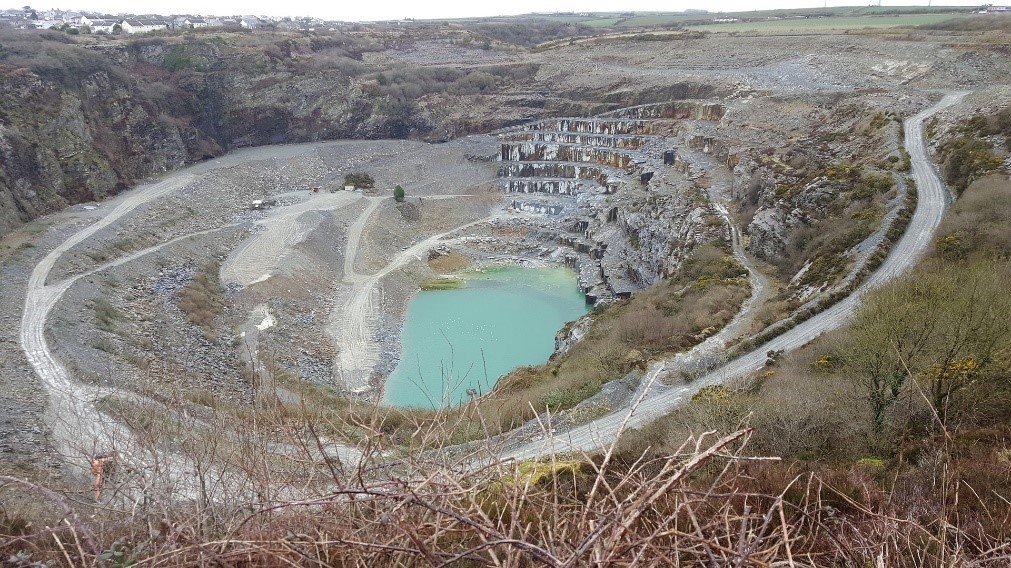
[934, 201]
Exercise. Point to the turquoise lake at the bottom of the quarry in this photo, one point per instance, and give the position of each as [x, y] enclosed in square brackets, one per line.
[454, 340]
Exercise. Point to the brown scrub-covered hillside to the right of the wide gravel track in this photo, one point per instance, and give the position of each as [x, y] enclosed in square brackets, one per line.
[932, 485]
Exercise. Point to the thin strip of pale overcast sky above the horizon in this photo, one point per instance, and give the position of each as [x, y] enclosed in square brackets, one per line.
[357, 11]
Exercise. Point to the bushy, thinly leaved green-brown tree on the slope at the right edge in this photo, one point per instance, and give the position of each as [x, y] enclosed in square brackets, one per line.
[945, 329]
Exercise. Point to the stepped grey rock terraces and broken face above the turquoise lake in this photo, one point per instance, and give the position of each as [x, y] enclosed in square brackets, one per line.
[628, 232]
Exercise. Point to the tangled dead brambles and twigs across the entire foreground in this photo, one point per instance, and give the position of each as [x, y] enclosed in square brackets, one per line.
[708, 502]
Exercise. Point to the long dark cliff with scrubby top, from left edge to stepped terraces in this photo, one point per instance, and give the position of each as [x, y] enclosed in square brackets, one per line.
[81, 120]
